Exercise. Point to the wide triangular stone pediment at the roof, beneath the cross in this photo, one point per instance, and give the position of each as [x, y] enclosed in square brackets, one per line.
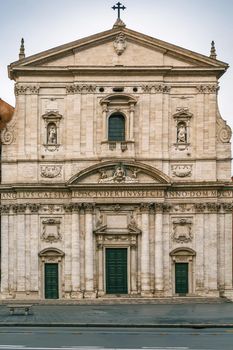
[117, 47]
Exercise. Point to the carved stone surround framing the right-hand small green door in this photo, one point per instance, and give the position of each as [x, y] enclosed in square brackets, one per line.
[184, 255]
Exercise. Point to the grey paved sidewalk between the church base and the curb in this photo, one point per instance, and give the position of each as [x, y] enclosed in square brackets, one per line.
[172, 315]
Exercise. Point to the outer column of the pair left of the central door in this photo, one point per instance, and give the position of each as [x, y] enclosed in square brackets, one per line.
[75, 253]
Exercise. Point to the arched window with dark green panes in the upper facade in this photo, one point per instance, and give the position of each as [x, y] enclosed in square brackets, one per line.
[116, 127]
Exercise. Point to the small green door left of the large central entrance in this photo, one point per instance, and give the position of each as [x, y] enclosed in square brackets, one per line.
[51, 281]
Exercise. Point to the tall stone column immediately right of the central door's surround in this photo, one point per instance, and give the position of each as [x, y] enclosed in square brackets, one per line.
[145, 259]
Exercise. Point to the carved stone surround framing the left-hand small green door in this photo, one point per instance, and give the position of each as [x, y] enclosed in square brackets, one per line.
[51, 256]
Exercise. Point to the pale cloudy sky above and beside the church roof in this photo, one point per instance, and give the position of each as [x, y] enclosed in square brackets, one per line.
[45, 24]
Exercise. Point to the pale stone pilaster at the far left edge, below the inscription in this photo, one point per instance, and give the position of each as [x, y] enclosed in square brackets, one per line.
[4, 254]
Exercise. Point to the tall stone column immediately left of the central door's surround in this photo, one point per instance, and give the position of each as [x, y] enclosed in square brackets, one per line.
[89, 251]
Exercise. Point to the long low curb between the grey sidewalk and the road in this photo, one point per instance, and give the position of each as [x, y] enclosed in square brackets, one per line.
[117, 325]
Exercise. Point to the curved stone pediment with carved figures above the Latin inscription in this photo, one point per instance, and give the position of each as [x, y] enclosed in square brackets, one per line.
[118, 174]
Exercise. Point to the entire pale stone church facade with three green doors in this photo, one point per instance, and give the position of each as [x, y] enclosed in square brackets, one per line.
[116, 171]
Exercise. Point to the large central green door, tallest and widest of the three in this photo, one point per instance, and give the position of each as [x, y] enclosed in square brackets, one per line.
[116, 271]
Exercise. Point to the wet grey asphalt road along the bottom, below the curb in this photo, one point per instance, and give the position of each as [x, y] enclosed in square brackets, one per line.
[115, 338]
